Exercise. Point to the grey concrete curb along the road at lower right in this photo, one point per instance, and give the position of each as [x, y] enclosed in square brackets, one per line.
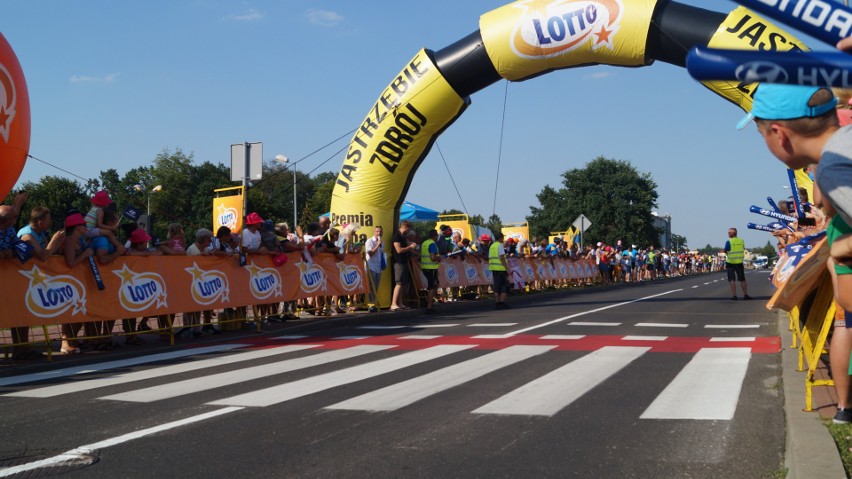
[810, 451]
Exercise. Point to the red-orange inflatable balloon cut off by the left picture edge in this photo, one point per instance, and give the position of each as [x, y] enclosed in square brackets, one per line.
[14, 118]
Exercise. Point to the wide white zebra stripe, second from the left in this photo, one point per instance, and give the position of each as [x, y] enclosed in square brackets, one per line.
[205, 383]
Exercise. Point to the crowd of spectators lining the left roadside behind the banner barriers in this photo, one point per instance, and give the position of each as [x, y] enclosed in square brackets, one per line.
[99, 236]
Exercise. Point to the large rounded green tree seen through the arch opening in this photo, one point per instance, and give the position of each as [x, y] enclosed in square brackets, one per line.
[616, 198]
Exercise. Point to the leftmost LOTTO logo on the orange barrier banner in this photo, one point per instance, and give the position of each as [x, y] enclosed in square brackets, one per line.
[50, 296]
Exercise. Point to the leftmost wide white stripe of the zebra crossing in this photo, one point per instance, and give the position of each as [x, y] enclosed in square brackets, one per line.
[77, 386]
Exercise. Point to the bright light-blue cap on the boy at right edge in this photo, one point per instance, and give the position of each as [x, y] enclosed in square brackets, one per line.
[775, 101]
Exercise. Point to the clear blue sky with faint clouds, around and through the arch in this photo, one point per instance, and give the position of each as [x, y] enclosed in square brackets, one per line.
[112, 84]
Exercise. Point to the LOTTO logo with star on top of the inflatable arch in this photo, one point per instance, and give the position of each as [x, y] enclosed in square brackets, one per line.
[548, 29]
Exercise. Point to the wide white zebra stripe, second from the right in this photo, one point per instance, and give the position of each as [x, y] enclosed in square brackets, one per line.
[554, 391]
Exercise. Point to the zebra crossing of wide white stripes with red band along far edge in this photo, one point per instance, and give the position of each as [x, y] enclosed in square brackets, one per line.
[707, 387]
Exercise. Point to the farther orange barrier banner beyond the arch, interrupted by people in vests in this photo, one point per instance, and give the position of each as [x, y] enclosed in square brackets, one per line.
[473, 271]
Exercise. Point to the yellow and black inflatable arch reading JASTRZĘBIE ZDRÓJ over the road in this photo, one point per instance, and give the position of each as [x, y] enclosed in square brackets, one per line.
[517, 42]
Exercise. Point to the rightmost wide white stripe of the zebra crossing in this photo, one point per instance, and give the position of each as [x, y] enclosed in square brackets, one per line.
[708, 387]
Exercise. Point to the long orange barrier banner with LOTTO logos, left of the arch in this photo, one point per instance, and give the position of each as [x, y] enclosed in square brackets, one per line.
[49, 292]
